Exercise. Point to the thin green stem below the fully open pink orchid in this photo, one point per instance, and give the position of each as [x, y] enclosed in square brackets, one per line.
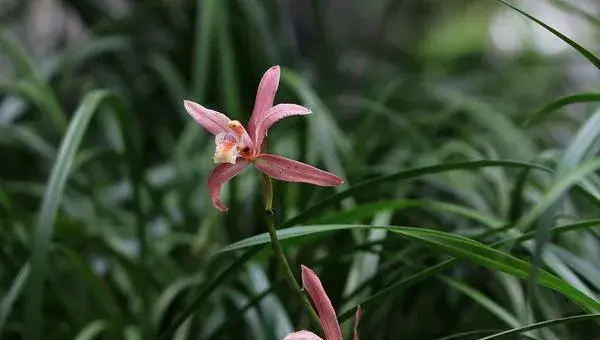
[278, 250]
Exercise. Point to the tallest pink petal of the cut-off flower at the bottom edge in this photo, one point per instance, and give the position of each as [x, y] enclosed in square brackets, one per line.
[329, 324]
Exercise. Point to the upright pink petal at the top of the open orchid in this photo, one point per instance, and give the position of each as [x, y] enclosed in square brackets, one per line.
[265, 95]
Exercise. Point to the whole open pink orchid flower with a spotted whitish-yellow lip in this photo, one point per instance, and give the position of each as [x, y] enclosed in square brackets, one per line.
[237, 147]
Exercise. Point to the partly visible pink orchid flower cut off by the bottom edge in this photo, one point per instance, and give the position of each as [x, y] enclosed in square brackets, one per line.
[331, 328]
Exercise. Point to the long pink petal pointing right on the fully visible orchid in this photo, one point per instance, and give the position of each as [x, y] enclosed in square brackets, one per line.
[289, 170]
